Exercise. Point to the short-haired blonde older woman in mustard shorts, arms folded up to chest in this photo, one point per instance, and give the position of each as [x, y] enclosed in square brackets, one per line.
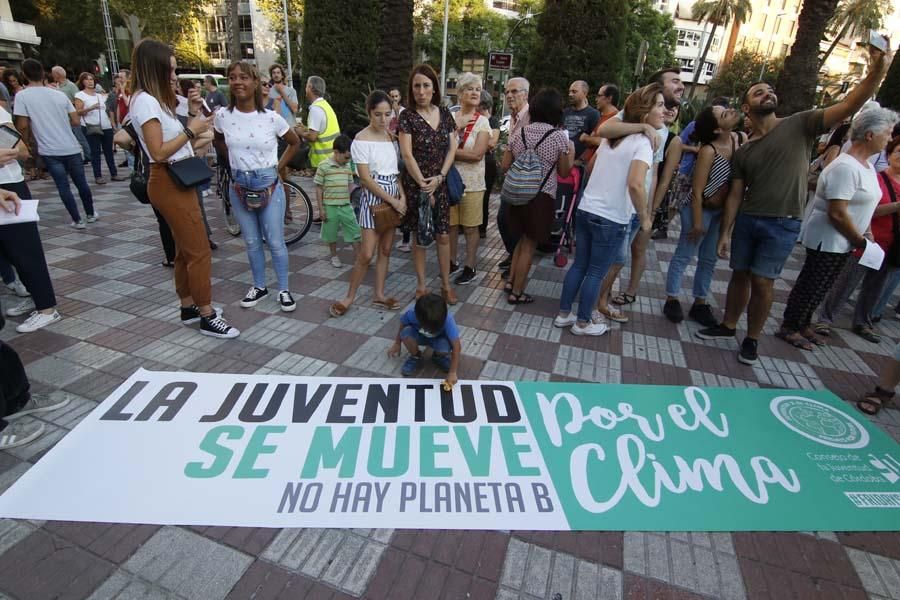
[474, 133]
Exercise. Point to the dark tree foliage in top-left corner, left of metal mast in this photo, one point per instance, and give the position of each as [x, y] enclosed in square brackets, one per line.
[71, 32]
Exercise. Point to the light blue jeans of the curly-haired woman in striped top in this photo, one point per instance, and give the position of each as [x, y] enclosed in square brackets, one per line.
[705, 250]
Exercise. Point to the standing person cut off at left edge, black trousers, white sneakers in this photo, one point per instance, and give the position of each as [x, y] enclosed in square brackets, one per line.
[20, 245]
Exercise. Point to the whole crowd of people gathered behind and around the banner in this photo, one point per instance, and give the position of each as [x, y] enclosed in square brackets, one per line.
[738, 177]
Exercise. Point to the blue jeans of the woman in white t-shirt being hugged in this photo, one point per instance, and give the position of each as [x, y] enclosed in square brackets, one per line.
[598, 239]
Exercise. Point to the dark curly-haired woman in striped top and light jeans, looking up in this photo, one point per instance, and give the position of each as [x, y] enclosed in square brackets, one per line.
[701, 215]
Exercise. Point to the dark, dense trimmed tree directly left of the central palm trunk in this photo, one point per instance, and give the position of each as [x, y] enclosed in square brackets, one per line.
[340, 44]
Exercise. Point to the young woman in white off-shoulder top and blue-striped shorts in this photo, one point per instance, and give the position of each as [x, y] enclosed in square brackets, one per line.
[375, 156]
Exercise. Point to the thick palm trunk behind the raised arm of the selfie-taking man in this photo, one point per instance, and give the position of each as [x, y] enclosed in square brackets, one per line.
[796, 85]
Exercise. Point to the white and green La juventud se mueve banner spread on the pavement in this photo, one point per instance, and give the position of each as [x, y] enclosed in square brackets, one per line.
[279, 451]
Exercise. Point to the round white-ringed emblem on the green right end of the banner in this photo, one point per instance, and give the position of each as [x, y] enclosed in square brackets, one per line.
[820, 422]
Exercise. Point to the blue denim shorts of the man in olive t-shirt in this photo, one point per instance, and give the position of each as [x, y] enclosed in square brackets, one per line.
[762, 245]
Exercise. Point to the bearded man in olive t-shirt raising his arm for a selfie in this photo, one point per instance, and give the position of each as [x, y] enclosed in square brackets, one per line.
[767, 197]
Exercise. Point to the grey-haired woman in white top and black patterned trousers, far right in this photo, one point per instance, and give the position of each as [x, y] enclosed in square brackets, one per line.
[846, 196]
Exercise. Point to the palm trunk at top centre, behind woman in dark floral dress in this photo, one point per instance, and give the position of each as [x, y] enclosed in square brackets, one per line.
[395, 49]
